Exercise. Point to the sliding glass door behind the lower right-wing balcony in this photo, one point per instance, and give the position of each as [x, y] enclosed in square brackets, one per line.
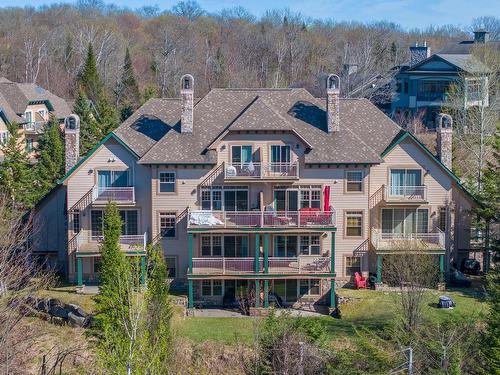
[405, 220]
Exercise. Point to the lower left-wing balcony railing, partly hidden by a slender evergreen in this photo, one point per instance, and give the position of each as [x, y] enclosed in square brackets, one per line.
[86, 243]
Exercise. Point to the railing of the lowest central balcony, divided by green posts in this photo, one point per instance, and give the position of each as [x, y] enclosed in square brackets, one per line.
[276, 265]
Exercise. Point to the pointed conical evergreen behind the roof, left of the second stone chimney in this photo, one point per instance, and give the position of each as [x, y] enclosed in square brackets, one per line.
[129, 96]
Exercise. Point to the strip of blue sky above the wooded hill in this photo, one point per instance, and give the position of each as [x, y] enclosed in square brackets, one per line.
[407, 13]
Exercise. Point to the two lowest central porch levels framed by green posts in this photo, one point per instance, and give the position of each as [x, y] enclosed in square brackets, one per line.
[261, 267]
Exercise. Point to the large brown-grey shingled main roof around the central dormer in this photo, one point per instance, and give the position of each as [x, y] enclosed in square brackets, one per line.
[153, 131]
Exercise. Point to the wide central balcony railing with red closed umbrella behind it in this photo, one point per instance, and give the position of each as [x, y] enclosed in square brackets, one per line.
[260, 219]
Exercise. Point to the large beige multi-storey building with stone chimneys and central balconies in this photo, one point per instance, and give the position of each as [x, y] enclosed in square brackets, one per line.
[259, 190]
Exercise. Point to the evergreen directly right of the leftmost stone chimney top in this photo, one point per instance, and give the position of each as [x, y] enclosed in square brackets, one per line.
[90, 132]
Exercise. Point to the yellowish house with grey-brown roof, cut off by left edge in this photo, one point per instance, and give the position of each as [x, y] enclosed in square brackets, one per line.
[30, 107]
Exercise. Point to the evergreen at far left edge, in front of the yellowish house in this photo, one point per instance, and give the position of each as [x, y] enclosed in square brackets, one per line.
[15, 171]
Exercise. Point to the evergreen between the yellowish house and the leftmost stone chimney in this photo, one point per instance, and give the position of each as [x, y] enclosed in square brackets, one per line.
[50, 164]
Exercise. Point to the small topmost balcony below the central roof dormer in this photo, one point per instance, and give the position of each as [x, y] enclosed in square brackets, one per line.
[261, 171]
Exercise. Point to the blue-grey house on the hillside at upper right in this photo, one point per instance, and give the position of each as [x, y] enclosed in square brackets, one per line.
[422, 86]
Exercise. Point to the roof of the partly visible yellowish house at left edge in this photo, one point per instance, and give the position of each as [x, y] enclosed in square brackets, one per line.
[16, 97]
